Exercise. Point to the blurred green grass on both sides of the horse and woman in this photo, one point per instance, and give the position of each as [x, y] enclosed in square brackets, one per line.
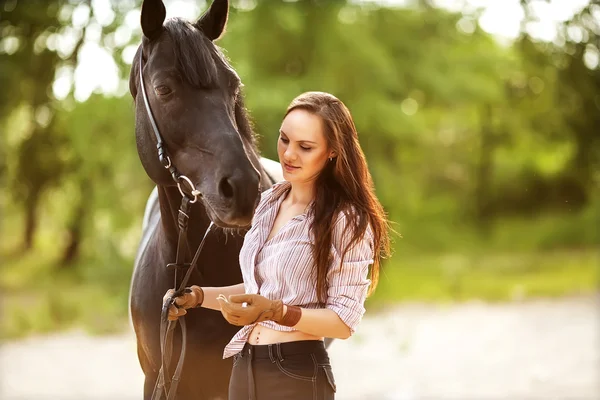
[38, 298]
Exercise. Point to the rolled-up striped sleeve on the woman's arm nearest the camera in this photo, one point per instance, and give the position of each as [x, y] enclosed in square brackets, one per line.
[348, 282]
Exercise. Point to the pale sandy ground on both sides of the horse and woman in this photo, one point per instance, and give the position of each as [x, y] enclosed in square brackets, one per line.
[542, 349]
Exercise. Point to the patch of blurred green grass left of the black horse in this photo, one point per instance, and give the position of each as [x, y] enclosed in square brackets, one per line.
[39, 299]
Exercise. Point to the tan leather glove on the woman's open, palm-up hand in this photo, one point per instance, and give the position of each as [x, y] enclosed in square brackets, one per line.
[258, 308]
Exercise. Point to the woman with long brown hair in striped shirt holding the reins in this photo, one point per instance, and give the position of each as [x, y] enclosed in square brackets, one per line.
[305, 261]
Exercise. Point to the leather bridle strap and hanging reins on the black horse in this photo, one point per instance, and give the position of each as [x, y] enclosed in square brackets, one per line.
[164, 384]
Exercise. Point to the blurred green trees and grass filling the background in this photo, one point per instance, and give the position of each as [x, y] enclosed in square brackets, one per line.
[485, 151]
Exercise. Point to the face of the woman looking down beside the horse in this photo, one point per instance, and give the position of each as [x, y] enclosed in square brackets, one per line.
[302, 147]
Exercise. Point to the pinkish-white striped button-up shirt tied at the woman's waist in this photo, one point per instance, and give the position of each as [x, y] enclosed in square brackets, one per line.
[281, 268]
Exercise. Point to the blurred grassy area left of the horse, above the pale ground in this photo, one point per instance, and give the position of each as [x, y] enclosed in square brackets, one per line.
[40, 296]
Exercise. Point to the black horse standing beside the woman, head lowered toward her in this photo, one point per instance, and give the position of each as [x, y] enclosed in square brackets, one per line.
[194, 97]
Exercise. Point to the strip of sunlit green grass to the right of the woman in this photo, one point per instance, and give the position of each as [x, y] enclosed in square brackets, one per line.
[490, 277]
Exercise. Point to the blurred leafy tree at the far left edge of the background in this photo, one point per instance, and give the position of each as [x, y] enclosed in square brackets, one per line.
[28, 69]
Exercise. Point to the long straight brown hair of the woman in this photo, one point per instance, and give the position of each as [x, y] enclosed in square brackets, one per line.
[344, 185]
